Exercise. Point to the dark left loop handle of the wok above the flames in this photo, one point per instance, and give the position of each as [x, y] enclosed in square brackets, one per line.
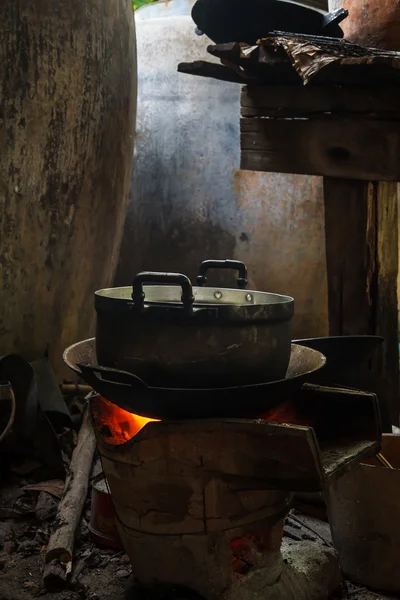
[101, 378]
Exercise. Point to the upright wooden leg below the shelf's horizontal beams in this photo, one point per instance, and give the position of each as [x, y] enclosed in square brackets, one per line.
[362, 265]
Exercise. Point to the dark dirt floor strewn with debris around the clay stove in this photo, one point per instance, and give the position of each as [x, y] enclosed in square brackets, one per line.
[98, 574]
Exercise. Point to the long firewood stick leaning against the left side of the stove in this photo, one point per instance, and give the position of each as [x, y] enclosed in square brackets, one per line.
[61, 544]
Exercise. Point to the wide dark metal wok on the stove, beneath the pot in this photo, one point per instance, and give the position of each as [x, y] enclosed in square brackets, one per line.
[133, 394]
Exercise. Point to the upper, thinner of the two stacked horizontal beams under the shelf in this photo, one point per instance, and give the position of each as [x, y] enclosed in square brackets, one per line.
[317, 100]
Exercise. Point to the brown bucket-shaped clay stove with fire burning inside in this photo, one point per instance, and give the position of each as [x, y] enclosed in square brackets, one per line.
[202, 503]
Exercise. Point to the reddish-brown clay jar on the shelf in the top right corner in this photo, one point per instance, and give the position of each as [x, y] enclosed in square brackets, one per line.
[374, 23]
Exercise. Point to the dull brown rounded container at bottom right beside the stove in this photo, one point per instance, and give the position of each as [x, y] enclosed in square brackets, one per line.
[363, 508]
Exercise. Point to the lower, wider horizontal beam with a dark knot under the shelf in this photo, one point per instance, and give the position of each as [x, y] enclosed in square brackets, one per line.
[342, 148]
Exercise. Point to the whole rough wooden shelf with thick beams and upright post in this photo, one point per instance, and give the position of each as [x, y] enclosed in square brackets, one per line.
[322, 107]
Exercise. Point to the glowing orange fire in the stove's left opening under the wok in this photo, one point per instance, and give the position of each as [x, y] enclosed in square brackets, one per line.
[115, 424]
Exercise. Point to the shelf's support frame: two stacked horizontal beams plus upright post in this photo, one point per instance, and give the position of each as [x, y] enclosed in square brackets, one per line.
[351, 136]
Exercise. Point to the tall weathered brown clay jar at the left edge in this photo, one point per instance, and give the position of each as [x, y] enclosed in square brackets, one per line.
[67, 114]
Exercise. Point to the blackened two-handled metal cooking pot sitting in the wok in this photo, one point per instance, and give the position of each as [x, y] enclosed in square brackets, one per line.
[175, 335]
